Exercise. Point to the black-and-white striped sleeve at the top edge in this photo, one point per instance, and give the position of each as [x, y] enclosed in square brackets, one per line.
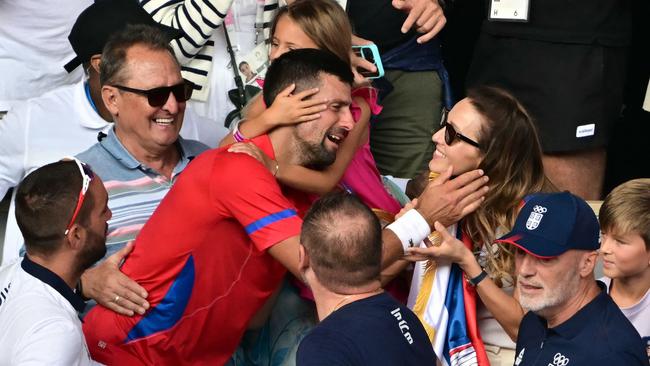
[196, 18]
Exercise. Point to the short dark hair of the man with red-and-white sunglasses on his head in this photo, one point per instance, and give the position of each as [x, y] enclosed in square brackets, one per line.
[45, 201]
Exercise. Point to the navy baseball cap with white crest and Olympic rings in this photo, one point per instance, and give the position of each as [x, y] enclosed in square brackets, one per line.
[550, 224]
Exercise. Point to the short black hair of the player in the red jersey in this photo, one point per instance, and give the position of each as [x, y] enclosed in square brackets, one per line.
[304, 68]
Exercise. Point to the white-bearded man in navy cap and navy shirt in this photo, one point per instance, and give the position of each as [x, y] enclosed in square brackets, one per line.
[572, 320]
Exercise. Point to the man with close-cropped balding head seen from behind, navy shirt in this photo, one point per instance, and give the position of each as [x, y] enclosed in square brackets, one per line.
[340, 260]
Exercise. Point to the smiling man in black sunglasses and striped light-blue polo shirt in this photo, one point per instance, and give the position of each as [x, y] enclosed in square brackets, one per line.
[143, 154]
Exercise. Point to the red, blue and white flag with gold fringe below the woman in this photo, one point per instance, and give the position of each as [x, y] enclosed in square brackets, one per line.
[446, 305]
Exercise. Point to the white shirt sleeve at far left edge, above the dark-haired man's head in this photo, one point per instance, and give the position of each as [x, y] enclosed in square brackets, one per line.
[13, 146]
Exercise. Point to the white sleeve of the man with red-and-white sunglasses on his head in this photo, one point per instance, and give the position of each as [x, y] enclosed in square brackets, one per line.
[54, 342]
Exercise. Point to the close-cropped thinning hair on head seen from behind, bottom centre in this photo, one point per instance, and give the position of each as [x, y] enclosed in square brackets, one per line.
[342, 237]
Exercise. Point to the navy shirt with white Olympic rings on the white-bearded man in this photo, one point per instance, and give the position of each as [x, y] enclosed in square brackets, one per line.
[598, 334]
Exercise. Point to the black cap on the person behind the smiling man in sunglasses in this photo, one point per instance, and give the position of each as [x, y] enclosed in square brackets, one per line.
[99, 21]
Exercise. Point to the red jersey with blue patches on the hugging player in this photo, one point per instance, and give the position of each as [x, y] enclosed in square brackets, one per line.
[202, 257]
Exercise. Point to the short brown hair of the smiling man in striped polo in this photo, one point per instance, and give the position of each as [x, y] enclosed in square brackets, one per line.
[111, 69]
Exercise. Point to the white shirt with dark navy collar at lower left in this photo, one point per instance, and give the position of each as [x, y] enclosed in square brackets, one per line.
[39, 318]
